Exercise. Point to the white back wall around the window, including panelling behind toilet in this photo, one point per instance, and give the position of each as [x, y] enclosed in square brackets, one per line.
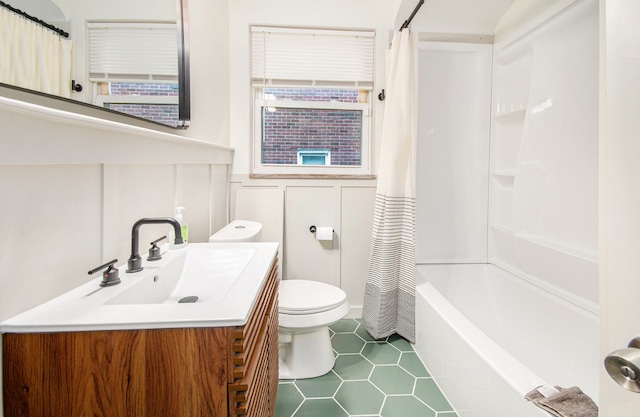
[347, 205]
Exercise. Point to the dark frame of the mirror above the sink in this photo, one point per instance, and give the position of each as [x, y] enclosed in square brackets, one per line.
[80, 107]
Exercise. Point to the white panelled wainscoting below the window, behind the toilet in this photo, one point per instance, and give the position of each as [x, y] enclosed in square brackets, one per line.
[346, 205]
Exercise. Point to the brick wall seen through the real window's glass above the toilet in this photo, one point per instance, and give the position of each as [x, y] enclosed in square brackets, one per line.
[286, 130]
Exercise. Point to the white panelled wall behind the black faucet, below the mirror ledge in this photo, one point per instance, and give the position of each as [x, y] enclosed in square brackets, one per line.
[66, 219]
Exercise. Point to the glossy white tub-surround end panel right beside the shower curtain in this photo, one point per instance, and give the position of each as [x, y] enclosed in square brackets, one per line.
[453, 152]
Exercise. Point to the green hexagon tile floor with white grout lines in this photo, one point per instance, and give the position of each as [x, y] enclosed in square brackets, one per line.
[371, 378]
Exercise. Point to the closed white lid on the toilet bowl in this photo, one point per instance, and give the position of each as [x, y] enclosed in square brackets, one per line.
[298, 296]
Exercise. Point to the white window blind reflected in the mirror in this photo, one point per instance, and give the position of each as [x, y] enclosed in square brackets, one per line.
[133, 52]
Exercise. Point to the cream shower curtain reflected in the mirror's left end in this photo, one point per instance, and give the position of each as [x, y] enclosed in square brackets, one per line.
[32, 56]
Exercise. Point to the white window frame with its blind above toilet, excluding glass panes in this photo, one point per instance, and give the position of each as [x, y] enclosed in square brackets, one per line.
[333, 59]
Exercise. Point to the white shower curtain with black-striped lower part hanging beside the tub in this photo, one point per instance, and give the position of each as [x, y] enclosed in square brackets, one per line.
[389, 305]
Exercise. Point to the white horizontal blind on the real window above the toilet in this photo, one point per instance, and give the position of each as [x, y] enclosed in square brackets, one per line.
[310, 57]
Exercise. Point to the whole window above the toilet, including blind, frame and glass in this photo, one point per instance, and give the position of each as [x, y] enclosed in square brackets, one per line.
[312, 101]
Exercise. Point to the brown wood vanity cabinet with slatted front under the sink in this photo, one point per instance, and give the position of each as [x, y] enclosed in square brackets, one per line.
[216, 371]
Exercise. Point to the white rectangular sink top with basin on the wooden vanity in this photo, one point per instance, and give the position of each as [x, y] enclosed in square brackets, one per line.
[202, 285]
